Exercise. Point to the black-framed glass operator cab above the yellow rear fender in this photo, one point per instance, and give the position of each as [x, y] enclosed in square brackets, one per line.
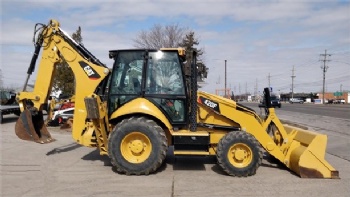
[156, 75]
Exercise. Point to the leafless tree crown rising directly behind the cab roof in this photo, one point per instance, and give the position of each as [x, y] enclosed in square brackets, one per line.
[169, 36]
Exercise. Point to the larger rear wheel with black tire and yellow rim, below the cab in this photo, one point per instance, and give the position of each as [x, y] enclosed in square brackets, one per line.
[137, 146]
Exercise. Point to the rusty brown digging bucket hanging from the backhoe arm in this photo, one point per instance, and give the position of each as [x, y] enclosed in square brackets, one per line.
[30, 126]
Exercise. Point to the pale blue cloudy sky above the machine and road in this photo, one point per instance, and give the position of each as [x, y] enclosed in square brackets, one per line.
[257, 38]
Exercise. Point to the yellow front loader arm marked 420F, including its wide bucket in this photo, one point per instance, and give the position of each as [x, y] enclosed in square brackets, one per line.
[302, 151]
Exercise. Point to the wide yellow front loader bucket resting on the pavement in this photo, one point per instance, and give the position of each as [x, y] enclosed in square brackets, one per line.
[306, 154]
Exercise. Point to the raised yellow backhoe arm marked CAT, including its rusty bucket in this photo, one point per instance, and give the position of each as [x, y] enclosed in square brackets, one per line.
[57, 47]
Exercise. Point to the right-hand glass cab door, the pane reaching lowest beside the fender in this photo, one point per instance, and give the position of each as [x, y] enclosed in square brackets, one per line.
[165, 85]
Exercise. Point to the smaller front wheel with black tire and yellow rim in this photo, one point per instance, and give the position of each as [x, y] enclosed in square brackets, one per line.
[239, 154]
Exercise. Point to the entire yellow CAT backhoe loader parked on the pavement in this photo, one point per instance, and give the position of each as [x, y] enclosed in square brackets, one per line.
[148, 102]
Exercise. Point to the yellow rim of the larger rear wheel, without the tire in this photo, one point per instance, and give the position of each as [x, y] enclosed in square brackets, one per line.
[136, 147]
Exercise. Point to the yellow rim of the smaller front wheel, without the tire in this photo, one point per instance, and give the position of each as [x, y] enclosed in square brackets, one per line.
[240, 155]
